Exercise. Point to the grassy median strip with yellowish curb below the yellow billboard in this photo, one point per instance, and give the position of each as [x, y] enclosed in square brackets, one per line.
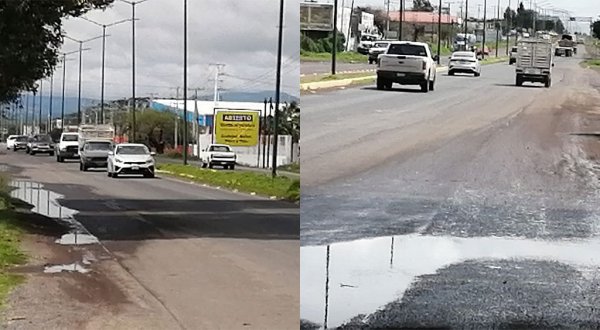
[253, 183]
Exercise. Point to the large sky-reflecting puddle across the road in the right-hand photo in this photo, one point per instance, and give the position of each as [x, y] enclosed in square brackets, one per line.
[342, 280]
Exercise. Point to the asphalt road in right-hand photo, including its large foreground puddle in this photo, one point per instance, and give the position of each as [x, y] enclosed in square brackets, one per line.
[474, 205]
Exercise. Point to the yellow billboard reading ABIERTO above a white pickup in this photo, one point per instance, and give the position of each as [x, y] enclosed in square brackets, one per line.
[237, 127]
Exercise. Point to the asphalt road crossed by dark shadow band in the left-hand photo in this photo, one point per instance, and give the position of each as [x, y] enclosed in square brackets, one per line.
[214, 259]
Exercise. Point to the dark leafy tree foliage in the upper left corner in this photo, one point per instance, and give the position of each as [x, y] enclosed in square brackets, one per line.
[30, 40]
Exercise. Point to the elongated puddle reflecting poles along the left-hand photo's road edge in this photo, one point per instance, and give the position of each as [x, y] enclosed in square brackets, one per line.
[45, 203]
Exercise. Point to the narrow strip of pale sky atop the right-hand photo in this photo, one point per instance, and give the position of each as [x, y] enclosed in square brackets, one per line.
[582, 8]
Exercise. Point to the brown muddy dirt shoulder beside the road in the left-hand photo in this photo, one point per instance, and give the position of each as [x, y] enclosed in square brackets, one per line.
[99, 299]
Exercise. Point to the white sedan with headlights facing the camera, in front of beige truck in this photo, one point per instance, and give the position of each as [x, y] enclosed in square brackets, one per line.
[131, 158]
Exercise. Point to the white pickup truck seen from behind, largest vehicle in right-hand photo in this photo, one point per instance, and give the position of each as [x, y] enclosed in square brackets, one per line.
[407, 63]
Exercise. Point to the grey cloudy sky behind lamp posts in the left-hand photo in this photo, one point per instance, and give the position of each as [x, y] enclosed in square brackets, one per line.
[241, 34]
